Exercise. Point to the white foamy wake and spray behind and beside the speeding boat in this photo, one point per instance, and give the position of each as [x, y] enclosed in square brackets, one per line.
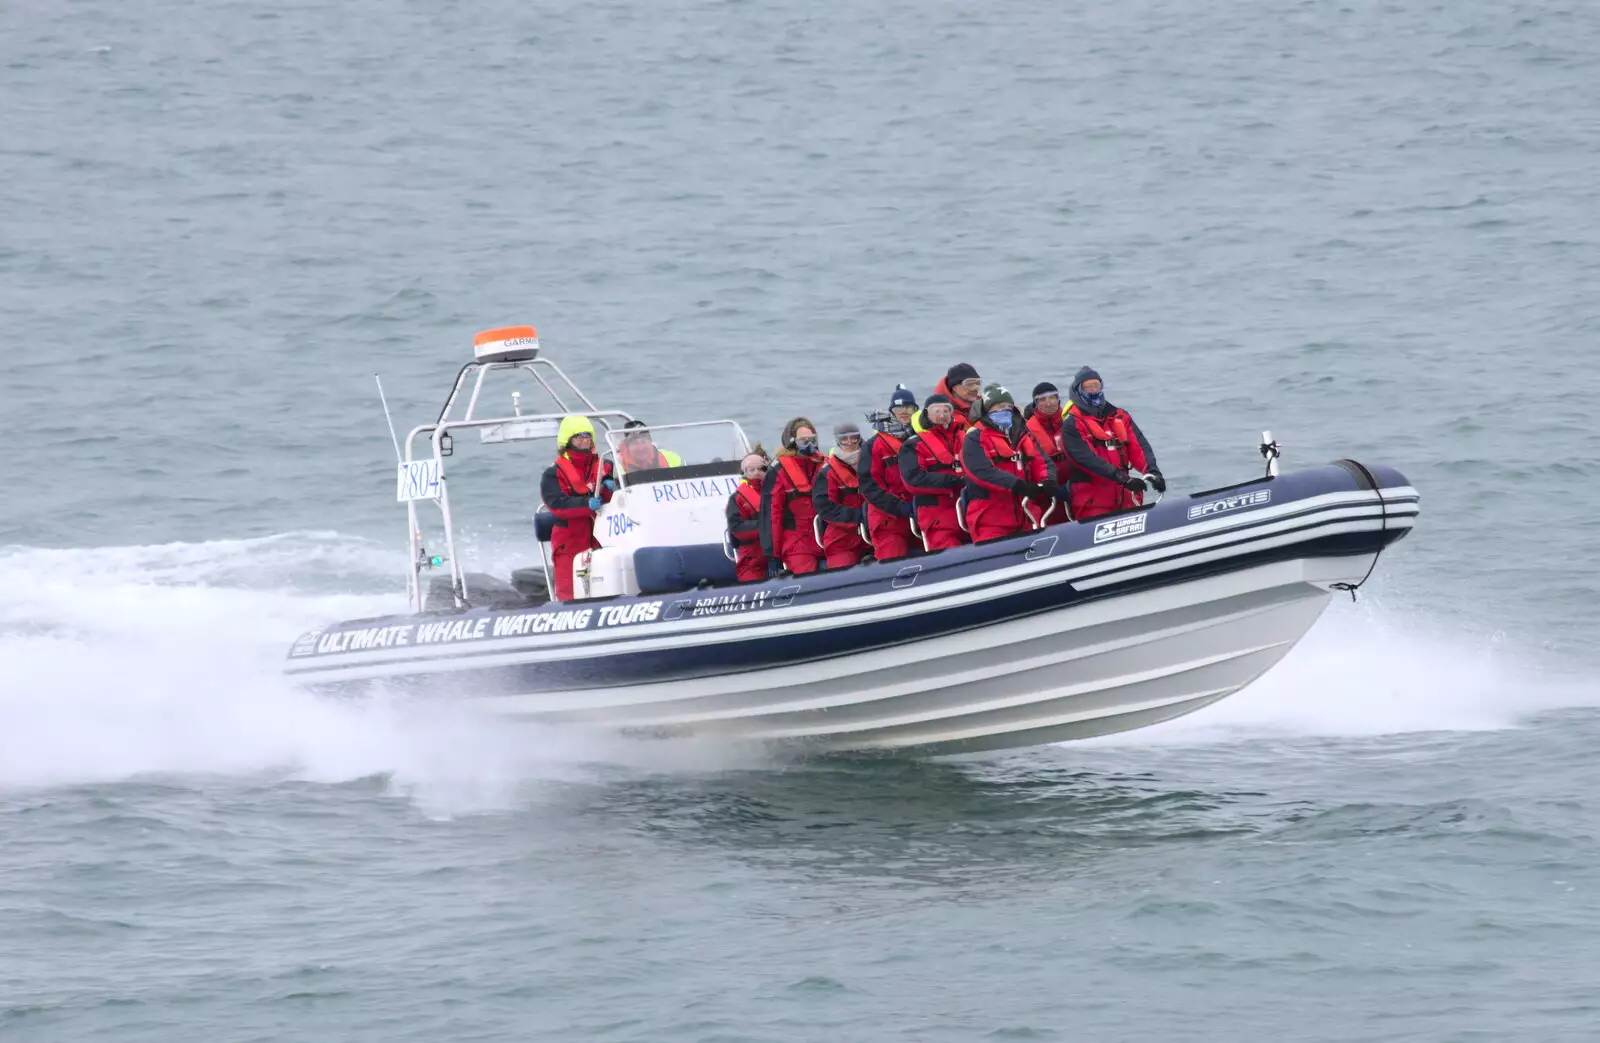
[137, 661]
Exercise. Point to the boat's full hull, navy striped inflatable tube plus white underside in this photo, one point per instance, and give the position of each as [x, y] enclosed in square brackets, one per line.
[1066, 634]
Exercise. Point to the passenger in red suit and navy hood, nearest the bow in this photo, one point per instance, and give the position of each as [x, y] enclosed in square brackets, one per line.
[1103, 446]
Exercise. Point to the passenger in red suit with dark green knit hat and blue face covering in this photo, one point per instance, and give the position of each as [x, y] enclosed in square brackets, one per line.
[1004, 471]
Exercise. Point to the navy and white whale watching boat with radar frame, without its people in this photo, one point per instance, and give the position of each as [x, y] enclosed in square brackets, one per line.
[1063, 633]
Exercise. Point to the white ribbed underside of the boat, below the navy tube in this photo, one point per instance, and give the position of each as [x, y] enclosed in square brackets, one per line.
[1086, 671]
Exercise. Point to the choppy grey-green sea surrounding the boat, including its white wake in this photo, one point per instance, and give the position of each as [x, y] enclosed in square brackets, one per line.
[1372, 228]
